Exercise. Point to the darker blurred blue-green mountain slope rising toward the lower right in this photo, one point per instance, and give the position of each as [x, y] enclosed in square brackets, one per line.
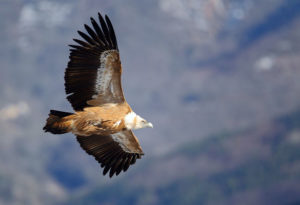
[259, 165]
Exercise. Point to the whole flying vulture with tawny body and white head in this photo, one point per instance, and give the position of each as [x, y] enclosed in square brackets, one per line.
[103, 121]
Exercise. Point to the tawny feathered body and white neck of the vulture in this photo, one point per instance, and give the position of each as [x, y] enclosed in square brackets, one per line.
[101, 120]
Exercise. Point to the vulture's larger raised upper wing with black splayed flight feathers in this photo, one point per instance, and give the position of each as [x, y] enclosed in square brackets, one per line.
[93, 75]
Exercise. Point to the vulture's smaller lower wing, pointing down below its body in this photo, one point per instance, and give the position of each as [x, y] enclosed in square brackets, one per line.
[115, 152]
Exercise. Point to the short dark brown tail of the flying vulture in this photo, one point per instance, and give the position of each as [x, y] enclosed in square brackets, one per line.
[58, 122]
